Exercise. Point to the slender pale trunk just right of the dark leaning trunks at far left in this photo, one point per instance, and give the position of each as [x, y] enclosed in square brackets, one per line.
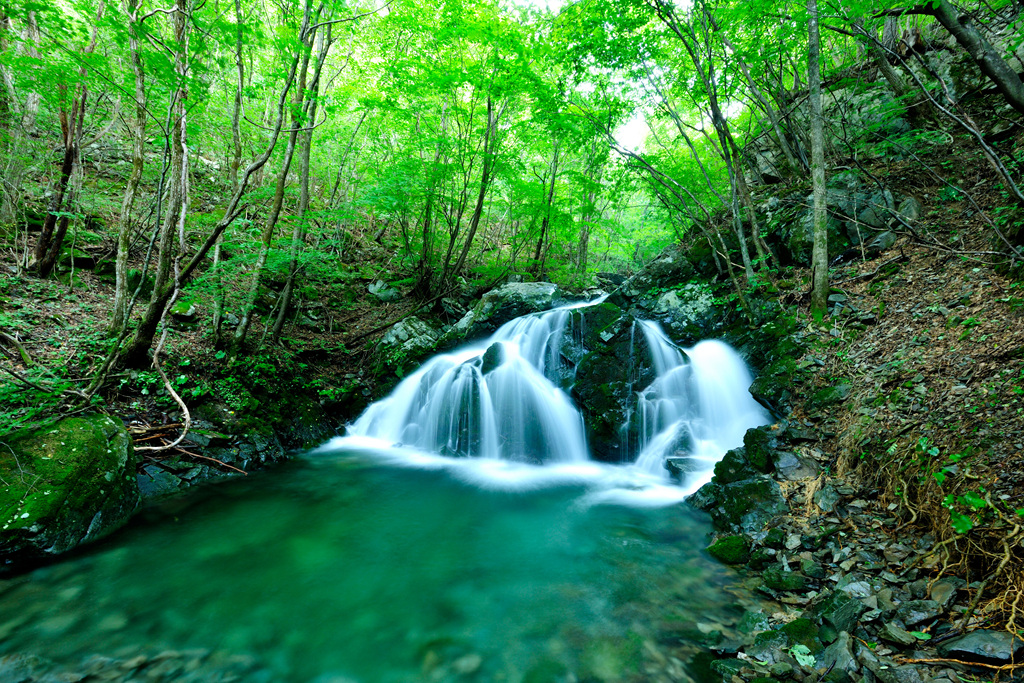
[138, 135]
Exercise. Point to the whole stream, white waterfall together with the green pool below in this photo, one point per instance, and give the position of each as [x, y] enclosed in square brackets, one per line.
[461, 531]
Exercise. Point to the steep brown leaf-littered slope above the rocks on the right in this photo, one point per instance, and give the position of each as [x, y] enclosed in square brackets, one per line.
[935, 415]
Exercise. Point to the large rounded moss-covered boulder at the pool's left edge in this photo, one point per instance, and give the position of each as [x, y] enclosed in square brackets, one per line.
[65, 485]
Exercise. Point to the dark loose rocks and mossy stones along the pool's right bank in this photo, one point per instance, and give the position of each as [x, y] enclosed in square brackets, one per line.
[852, 594]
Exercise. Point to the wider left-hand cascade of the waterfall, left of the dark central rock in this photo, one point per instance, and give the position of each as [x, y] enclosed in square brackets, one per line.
[495, 400]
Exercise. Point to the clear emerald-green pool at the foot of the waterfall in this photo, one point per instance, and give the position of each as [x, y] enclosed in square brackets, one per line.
[337, 569]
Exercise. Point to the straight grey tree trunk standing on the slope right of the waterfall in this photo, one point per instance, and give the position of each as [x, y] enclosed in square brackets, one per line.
[820, 257]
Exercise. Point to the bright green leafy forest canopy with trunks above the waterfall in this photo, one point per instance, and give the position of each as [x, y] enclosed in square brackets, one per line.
[229, 145]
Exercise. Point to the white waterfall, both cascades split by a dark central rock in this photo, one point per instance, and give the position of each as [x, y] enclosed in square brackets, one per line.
[500, 402]
